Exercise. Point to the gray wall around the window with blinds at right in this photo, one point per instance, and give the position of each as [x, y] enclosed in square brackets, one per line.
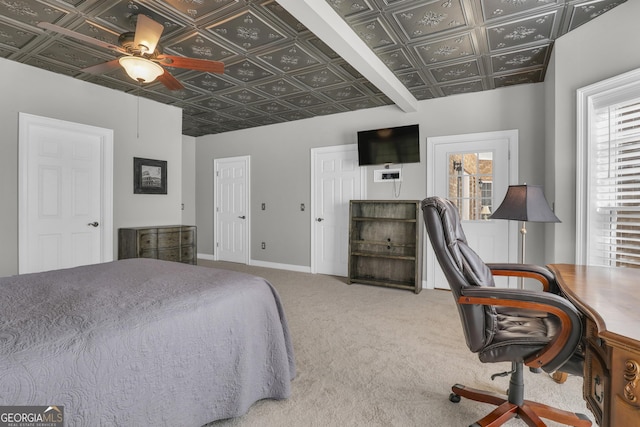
[603, 48]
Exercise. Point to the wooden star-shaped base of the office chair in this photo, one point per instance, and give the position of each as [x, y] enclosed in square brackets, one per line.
[530, 412]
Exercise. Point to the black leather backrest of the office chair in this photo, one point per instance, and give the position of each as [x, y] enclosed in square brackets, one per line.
[462, 267]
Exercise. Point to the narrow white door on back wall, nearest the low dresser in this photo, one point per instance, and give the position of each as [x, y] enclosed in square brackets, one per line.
[231, 184]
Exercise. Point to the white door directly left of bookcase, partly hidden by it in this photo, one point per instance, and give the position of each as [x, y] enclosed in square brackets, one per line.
[336, 179]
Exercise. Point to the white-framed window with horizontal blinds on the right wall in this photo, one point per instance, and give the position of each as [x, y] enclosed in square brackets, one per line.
[610, 157]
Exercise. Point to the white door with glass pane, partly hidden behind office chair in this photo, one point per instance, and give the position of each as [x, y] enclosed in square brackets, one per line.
[474, 171]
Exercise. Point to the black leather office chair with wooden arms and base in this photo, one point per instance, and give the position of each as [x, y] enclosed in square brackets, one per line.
[538, 329]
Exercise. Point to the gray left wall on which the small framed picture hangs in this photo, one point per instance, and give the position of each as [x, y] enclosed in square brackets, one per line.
[35, 91]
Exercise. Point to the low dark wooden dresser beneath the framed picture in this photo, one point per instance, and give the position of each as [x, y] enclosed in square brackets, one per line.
[170, 243]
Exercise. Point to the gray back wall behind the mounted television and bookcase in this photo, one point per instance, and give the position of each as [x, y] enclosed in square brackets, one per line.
[280, 162]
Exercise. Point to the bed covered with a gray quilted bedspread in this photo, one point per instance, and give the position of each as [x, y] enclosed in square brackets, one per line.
[143, 342]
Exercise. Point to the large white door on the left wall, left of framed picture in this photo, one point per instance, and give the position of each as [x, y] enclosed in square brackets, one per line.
[65, 194]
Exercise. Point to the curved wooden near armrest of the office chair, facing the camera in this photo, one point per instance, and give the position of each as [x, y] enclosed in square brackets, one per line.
[562, 346]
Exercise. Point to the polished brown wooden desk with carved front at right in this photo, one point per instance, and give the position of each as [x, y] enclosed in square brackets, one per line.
[610, 300]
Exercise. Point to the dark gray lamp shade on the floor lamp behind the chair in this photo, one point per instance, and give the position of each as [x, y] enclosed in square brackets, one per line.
[525, 203]
